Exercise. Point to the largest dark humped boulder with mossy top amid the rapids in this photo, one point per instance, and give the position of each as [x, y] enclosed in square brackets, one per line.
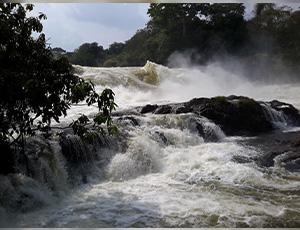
[235, 115]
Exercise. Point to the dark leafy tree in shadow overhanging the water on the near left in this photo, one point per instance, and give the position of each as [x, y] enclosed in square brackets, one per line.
[36, 88]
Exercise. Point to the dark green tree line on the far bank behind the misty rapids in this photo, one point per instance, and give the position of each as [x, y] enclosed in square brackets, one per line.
[269, 39]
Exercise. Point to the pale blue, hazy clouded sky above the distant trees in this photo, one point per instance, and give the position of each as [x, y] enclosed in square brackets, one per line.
[69, 25]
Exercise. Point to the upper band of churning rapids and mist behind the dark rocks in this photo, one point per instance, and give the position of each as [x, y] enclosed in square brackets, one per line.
[135, 86]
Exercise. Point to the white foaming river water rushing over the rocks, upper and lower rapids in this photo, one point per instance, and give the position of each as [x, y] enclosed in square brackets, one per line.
[158, 171]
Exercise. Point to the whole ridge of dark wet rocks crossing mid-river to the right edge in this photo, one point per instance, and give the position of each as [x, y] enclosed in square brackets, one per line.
[236, 115]
